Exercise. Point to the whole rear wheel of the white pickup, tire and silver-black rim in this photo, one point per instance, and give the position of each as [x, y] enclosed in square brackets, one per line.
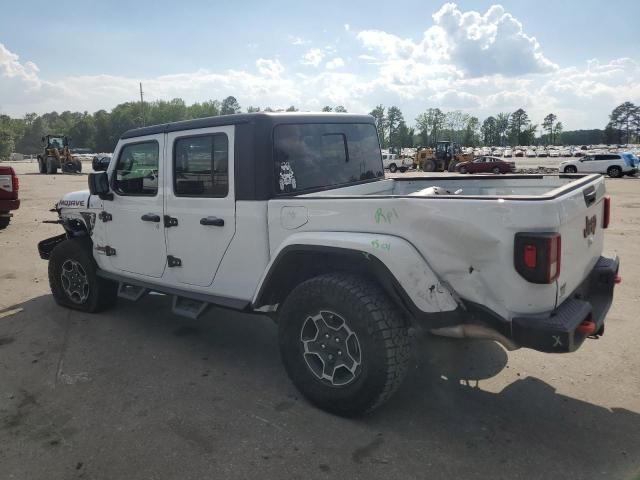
[344, 344]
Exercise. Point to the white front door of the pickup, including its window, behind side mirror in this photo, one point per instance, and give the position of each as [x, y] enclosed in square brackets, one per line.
[135, 229]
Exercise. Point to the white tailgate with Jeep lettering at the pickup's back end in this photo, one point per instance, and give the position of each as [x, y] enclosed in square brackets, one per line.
[581, 226]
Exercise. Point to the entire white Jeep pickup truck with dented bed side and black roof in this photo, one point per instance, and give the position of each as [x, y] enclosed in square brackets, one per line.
[290, 215]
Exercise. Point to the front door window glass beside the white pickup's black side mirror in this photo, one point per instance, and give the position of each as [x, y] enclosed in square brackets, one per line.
[136, 172]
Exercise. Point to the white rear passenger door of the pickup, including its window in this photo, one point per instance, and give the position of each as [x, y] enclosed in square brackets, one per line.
[199, 202]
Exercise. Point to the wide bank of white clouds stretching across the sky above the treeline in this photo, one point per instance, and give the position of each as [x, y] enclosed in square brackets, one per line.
[482, 63]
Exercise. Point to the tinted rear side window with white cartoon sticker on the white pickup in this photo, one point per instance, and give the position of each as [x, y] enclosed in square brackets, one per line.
[312, 156]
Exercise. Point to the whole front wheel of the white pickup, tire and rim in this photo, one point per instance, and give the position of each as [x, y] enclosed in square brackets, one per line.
[73, 279]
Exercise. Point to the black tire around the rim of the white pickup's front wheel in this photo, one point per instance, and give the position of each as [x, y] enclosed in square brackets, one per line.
[102, 293]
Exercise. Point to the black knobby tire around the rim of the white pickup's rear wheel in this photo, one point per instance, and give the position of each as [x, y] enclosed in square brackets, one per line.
[380, 329]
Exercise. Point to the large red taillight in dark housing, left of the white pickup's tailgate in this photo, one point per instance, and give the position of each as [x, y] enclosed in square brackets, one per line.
[537, 256]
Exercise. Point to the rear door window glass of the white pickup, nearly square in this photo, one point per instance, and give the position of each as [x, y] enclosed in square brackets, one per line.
[201, 166]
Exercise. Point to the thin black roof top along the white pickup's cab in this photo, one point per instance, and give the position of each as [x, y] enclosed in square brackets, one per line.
[266, 118]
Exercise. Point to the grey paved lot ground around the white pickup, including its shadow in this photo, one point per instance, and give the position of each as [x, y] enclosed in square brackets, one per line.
[138, 393]
